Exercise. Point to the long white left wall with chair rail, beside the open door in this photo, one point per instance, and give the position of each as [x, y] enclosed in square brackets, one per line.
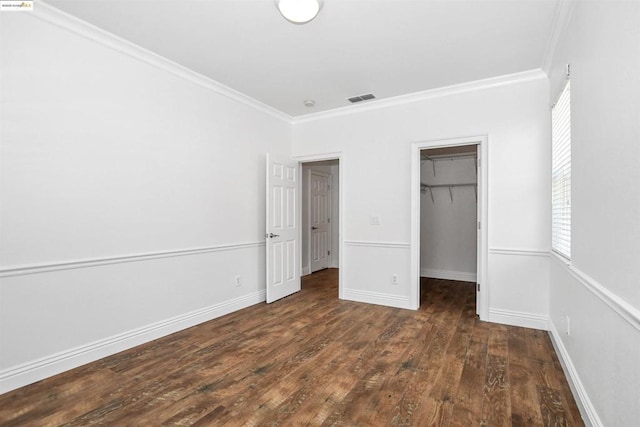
[132, 195]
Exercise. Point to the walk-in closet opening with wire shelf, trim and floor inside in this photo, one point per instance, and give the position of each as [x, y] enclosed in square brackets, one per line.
[448, 210]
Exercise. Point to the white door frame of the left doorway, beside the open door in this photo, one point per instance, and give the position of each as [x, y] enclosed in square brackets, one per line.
[338, 155]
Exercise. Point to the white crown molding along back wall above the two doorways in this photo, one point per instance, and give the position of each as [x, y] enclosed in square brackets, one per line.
[476, 85]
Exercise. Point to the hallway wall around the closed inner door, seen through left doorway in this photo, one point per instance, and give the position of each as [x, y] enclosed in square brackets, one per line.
[328, 167]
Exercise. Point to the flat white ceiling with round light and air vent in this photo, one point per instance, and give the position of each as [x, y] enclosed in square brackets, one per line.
[385, 47]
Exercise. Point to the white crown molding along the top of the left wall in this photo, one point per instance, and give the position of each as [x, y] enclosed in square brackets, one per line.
[54, 16]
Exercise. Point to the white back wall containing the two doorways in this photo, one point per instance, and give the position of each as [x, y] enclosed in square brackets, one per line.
[375, 142]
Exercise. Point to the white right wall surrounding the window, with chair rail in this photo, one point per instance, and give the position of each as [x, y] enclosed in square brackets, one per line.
[598, 291]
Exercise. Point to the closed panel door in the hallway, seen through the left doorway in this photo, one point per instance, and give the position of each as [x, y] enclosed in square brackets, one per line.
[320, 210]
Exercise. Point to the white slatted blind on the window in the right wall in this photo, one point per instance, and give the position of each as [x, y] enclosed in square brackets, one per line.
[561, 170]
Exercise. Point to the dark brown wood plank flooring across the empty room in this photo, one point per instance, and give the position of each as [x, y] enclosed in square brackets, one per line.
[311, 359]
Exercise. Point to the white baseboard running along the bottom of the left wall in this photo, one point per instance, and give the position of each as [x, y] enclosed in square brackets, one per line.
[30, 372]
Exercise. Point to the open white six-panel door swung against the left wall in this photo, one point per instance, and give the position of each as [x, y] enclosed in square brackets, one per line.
[283, 272]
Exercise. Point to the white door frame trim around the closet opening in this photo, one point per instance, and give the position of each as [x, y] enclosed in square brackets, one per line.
[483, 201]
